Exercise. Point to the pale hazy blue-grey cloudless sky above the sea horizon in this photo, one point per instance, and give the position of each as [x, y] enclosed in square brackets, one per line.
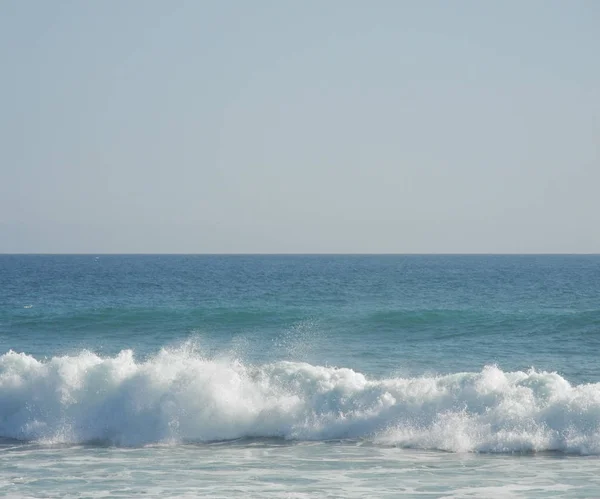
[147, 126]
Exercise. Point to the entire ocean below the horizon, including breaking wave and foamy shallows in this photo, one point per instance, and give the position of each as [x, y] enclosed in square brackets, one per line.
[300, 376]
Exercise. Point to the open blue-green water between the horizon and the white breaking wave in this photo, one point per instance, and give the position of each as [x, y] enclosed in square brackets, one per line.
[377, 314]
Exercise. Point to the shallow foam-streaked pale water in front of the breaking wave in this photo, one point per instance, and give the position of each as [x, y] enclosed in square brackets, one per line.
[263, 468]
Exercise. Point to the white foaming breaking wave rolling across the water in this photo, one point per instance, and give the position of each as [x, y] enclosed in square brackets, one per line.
[180, 396]
